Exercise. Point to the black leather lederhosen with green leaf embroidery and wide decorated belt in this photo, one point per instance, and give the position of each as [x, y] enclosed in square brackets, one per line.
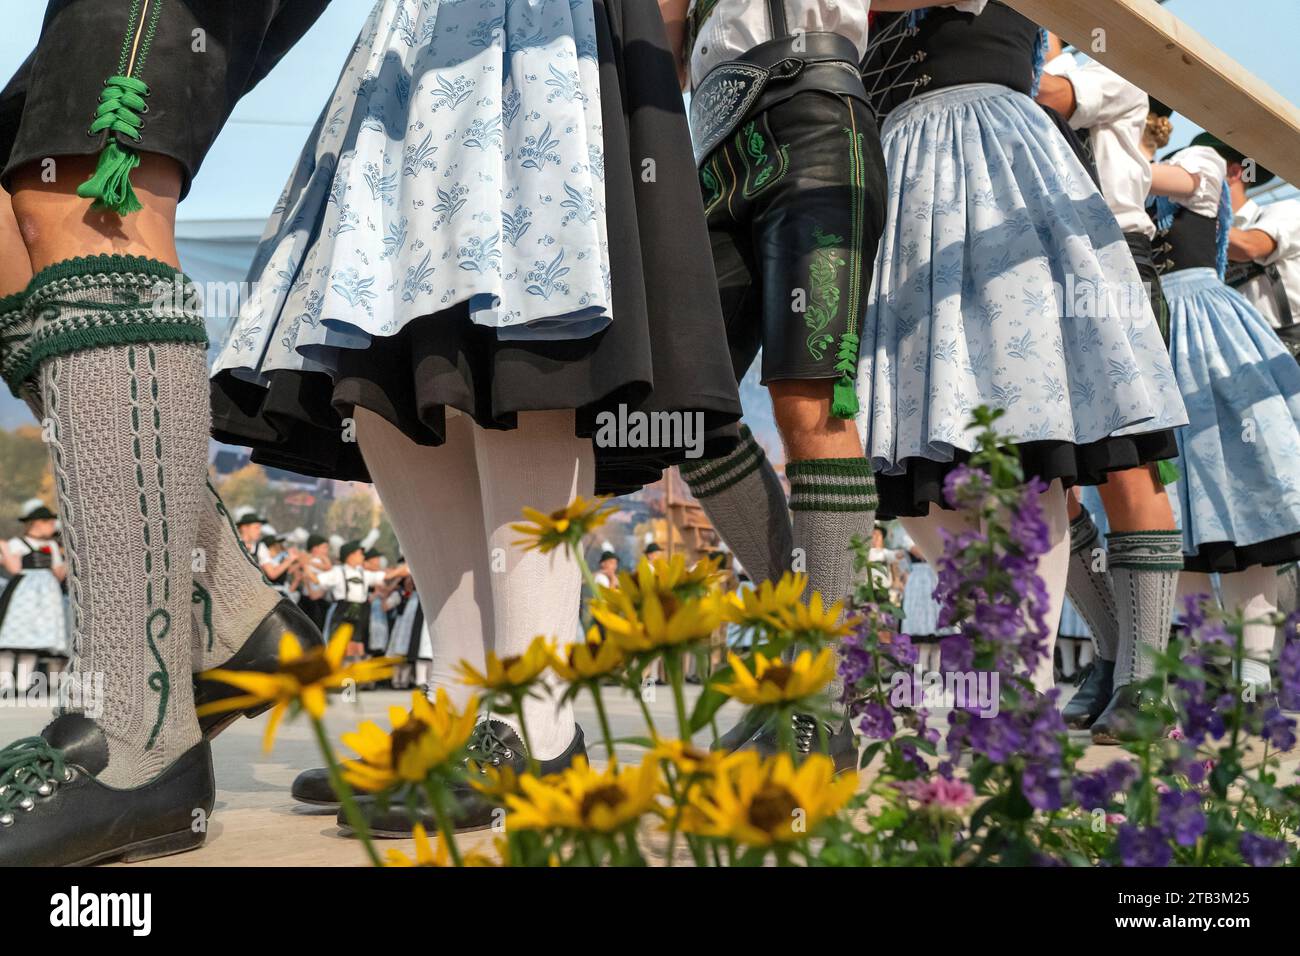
[794, 184]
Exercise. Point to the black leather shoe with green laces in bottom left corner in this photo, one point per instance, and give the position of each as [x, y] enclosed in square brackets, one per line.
[55, 814]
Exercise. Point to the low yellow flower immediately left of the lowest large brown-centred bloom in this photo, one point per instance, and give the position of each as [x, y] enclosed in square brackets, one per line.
[584, 799]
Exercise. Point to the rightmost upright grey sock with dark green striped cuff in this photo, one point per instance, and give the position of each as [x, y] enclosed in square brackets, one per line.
[1145, 568]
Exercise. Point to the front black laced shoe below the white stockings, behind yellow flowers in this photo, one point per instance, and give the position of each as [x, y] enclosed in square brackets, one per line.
[495, 745]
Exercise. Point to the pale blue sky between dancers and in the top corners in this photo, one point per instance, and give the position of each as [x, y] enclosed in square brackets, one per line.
[253, 158]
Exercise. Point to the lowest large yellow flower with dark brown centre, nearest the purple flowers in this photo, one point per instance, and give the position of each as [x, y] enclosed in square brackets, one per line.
[761, 803]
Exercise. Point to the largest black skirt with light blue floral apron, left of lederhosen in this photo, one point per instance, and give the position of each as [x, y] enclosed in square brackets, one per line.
[495, 214]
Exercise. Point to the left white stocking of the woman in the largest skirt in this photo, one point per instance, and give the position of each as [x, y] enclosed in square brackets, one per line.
[431, 496]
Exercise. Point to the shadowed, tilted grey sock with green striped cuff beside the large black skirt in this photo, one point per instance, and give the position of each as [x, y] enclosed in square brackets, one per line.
[746, 501]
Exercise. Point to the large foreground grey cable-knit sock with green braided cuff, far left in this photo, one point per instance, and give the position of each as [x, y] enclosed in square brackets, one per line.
[123, 379]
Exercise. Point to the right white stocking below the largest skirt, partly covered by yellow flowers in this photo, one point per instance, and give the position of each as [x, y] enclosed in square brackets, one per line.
[539, 465]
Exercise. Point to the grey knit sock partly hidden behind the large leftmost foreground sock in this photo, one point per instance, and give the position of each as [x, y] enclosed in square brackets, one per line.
[231, 595]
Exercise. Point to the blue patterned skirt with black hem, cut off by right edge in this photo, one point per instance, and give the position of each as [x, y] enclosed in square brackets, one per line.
[1240, 492]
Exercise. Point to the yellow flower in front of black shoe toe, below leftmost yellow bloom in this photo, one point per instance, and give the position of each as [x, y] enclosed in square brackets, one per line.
[424, 738]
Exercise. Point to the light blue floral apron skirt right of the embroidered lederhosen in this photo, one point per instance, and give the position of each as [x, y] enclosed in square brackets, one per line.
[1004, 280]
